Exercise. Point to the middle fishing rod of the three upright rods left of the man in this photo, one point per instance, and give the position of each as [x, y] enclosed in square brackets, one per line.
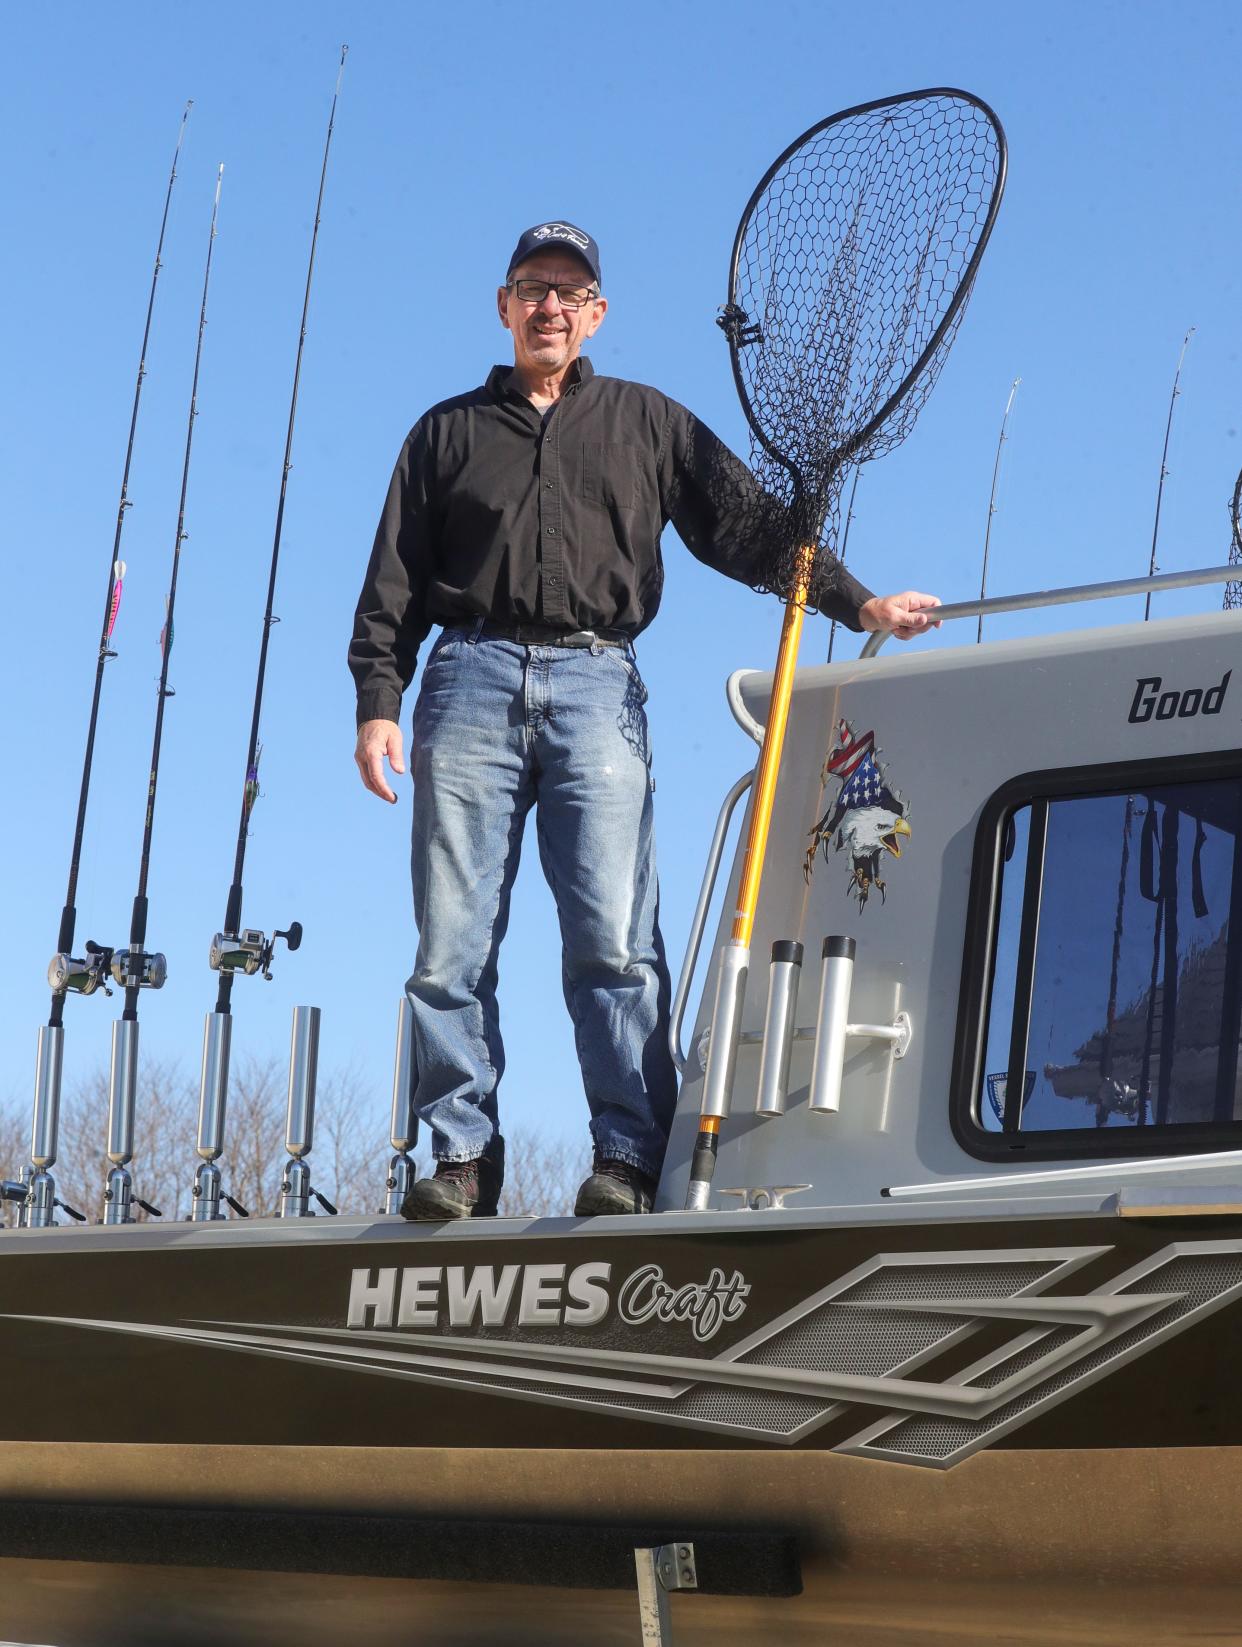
[138, 969]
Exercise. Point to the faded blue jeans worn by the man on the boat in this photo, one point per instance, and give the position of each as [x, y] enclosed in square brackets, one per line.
[502, 729]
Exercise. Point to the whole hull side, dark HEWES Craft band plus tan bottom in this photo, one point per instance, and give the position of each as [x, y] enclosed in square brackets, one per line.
[948, 1416]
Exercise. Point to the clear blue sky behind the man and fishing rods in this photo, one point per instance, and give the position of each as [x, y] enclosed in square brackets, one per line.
[457, 128]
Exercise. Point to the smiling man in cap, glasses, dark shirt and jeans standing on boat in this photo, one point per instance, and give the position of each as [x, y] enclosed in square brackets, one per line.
[525, 518]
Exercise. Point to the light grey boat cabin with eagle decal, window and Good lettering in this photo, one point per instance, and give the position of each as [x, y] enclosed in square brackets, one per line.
[1029, 856]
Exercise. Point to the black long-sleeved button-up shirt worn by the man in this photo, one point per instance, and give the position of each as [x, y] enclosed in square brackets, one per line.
[500, 513]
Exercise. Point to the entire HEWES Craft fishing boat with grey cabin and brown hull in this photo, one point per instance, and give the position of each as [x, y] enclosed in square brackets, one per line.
[951, 1356]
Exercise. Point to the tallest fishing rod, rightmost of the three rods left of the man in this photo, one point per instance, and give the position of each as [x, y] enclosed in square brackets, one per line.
[241, 949]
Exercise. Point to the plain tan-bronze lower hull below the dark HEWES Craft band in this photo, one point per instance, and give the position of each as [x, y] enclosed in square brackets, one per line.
[1034, 1547]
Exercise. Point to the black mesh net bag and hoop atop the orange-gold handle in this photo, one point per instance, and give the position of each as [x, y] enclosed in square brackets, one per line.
[851, 273]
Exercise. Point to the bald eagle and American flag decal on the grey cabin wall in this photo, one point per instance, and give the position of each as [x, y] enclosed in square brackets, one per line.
[867, 816]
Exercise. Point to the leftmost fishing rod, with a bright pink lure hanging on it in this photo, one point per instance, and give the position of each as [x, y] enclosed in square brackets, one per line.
[68, 974]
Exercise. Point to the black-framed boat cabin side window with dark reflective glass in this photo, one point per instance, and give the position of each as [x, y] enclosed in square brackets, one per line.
[1111, 996]
